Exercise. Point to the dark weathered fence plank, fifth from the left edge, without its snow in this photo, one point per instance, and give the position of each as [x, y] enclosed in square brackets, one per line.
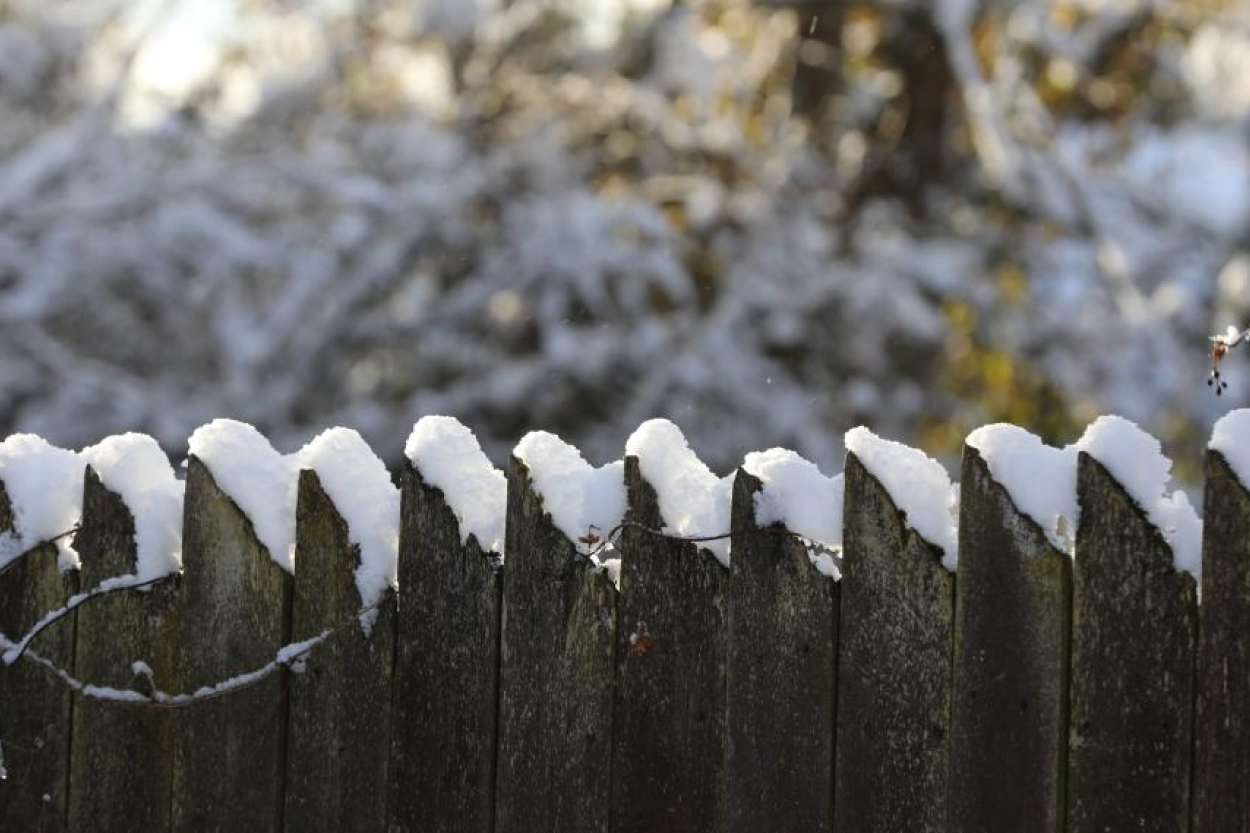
[447, 672]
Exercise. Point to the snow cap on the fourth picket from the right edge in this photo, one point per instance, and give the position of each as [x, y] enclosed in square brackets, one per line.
[918, 485]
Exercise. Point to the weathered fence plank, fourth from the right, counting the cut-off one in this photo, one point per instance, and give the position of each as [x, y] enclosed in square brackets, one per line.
[894, 670]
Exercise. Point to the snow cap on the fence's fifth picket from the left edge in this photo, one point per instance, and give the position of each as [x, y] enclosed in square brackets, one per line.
[449, 458]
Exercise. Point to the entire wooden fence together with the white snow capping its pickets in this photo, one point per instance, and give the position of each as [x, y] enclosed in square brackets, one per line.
[644, 647]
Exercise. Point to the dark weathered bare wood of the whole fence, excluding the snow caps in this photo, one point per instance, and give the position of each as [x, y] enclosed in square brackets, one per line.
[1029, 692]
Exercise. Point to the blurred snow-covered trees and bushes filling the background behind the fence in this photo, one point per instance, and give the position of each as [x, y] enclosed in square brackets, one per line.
[766, 223]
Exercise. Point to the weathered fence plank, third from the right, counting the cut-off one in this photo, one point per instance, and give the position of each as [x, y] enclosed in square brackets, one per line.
[1013, 607]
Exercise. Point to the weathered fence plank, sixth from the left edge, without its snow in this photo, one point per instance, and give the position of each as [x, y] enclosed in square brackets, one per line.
[558, 674]
